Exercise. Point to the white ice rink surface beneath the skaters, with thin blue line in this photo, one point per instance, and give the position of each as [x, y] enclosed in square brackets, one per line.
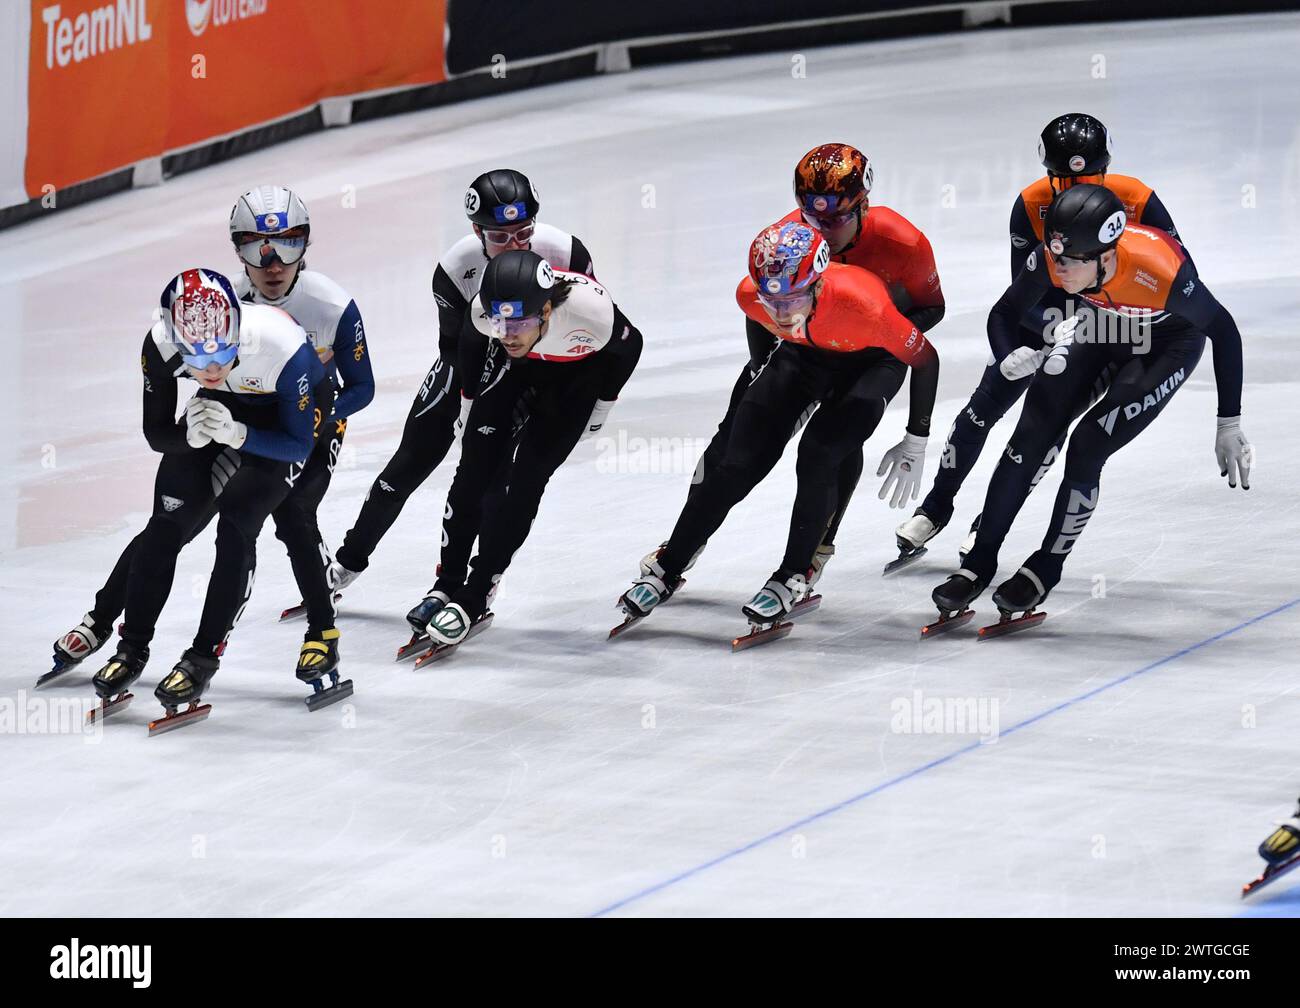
[1128, 756]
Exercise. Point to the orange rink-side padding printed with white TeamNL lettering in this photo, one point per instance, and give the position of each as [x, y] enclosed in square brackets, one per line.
[112, 83]
